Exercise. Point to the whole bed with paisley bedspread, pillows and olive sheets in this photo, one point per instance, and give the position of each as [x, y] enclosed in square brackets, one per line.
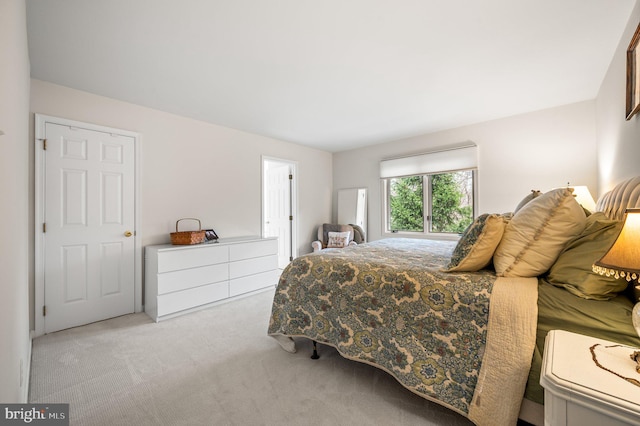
[463, 323]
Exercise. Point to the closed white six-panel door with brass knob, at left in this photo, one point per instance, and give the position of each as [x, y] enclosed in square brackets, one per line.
[89, 235]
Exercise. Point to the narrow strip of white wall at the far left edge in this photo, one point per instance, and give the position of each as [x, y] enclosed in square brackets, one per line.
[14, 209]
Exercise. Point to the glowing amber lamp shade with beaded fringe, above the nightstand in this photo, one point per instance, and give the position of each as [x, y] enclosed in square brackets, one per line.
[623, 258]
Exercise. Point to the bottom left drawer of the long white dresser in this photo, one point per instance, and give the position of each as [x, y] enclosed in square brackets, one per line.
[191, 298]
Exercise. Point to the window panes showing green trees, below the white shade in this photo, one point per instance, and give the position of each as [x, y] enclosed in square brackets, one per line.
[447, 199]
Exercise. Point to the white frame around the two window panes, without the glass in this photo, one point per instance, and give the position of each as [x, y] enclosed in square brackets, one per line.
[427, 200]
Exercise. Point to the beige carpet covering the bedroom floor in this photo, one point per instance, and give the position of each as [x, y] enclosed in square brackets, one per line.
[214, 367]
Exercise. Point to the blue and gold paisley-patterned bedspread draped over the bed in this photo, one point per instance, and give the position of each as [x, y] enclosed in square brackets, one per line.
[387, 303]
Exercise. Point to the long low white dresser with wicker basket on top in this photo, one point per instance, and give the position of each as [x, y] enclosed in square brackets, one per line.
[181, 279]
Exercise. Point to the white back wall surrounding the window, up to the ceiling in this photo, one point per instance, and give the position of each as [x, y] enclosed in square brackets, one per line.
[538, 150]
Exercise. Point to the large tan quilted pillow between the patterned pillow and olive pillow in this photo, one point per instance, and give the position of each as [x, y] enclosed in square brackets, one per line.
[537, 233]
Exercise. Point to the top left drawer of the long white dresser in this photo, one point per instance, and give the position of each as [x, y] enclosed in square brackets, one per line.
[173, 260]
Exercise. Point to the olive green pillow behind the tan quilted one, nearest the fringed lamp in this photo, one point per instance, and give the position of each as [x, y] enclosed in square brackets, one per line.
[572, 270]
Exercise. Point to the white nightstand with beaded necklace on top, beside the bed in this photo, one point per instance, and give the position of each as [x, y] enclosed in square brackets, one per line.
[578, 392]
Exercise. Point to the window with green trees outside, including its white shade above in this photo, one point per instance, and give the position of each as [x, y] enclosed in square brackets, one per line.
[432, 192]
